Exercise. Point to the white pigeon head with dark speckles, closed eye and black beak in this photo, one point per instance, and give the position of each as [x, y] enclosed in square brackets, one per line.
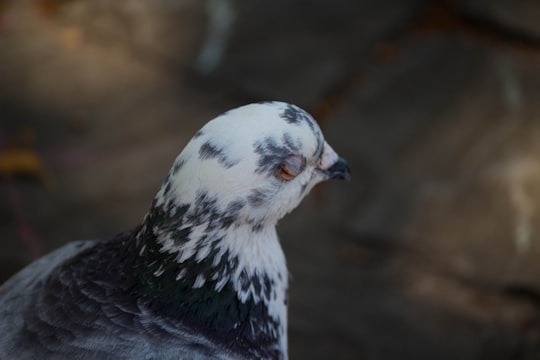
[254, 163]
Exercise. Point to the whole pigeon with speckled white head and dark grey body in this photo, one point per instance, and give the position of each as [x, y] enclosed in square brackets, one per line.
[203, 276]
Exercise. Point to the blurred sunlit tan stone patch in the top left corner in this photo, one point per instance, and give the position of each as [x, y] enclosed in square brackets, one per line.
[79, 54]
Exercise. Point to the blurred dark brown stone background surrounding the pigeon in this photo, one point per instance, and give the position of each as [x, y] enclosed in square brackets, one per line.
[431, 252]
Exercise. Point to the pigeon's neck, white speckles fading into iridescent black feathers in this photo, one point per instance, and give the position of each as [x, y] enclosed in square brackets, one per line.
[215, 274]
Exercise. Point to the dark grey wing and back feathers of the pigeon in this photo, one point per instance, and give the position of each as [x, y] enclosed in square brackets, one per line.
[96, 329]
